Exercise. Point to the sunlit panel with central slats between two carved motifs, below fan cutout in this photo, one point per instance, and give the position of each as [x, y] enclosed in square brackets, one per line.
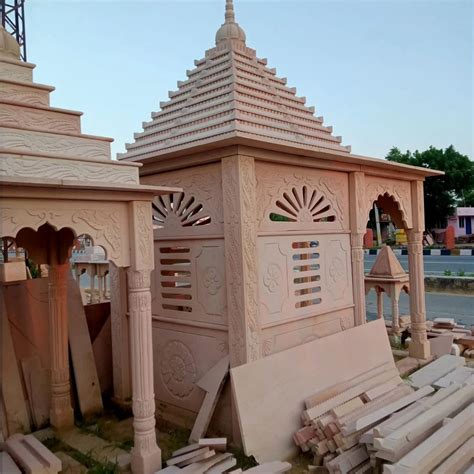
[303, 276]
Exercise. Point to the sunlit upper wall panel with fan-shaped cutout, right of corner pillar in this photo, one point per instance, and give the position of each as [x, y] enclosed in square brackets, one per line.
[295, 199]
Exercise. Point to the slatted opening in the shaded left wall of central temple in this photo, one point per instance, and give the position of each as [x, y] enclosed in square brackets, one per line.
[175, 278]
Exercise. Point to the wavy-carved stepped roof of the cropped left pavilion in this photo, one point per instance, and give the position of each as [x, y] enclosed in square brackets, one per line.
[40, 142]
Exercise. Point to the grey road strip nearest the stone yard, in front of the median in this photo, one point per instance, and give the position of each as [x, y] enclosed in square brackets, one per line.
[438, 305]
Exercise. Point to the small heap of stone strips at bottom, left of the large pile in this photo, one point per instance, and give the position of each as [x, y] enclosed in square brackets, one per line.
[209, 456]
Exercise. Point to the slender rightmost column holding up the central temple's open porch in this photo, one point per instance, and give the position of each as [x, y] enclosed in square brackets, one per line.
[419, 345]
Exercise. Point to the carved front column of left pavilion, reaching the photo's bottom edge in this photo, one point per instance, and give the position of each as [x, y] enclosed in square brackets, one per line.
[146, 455]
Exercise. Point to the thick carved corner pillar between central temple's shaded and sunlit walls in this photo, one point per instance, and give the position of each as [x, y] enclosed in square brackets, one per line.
[240, 232]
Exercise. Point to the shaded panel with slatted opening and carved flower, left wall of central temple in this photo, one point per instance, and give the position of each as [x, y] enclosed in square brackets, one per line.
[189, 281]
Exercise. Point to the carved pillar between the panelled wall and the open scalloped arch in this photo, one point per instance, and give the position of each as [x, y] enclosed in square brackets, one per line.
[358, 220]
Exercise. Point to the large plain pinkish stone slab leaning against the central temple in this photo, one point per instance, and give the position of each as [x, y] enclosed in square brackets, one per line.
[269, 392]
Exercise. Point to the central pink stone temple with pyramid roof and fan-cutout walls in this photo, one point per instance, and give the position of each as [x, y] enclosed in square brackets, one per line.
[263, 248]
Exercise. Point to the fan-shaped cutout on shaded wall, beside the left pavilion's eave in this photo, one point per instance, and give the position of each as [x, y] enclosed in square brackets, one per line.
[179, 209]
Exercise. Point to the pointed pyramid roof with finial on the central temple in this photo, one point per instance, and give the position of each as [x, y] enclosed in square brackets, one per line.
[232, 93]
